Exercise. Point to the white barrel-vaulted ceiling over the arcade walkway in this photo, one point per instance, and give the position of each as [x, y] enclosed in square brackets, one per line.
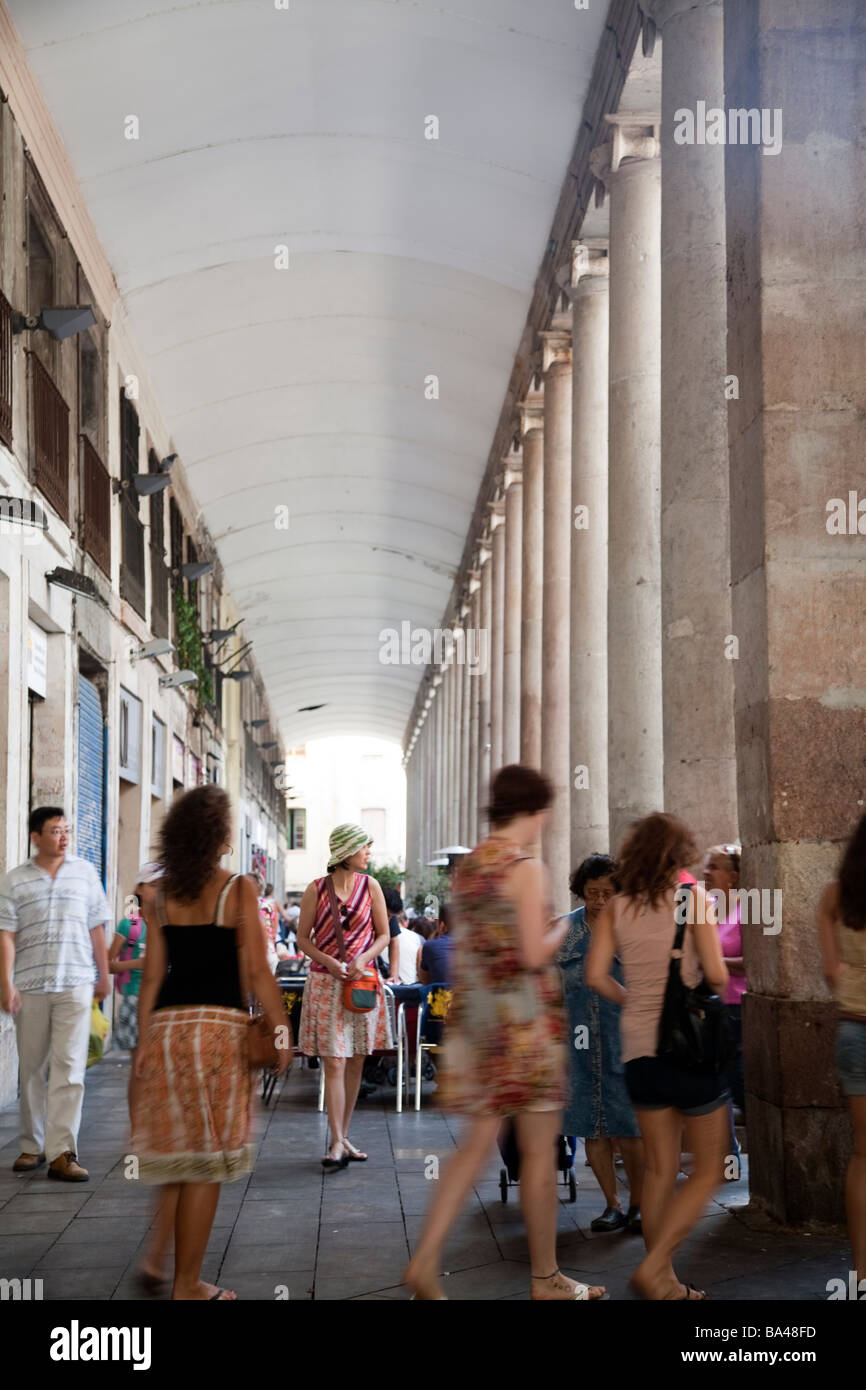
[408, 258]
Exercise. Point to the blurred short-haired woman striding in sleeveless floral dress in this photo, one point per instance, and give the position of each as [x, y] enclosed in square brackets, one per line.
[505, 1033]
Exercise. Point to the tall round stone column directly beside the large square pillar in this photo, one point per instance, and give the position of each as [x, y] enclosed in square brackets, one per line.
[697, 667]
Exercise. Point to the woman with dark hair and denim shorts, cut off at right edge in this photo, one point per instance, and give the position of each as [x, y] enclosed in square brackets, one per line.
[842, 924]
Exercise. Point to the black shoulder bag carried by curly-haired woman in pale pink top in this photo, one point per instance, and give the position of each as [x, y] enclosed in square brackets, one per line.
[693, 1031]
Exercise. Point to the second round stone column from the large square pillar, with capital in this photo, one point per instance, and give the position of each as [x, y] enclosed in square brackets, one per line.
[629, 166]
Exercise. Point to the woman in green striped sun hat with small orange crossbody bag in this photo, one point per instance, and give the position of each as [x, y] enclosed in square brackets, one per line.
[329, 1031]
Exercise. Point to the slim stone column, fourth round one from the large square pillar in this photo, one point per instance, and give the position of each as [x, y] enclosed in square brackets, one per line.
[557, 603]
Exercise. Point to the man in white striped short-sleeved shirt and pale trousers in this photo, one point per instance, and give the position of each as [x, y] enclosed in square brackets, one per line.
[52, 950]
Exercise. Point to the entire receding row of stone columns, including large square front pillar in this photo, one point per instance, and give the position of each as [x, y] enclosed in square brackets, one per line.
[671, 622]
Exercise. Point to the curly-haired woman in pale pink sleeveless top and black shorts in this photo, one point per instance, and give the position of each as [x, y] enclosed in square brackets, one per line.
[639, 925]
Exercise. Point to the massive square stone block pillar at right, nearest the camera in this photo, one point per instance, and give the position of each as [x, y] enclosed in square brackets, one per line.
[797, 302]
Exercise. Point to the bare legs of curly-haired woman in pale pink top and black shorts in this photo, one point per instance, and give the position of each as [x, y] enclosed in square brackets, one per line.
[707, 1139]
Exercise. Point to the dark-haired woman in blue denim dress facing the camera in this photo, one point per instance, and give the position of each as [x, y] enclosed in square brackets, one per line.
[598, 1109]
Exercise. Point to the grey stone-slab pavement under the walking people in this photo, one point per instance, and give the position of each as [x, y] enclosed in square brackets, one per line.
[350, 1235]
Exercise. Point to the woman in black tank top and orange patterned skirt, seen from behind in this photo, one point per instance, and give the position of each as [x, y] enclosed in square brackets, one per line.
[205, 953]
